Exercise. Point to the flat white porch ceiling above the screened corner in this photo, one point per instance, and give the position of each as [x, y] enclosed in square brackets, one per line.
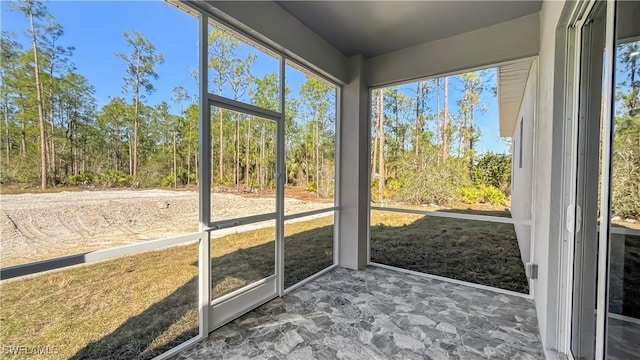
[373, 28]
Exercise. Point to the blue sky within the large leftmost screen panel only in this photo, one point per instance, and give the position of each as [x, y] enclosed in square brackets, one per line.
[95, 30]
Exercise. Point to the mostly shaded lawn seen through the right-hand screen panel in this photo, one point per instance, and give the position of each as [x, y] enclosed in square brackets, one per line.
[480, 252]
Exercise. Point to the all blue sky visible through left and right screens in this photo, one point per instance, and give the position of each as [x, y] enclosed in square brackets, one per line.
[95, 29]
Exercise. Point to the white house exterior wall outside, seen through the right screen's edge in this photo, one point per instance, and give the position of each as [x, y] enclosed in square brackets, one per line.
[522, 164]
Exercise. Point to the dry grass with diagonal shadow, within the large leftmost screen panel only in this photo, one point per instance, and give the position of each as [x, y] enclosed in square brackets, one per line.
[133, 307]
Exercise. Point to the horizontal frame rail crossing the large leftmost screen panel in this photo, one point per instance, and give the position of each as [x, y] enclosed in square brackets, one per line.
[94, 256]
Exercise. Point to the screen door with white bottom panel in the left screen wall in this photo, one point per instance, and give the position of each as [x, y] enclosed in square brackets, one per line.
[243, 211]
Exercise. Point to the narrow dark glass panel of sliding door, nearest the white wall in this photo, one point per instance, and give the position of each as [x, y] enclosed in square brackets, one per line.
[583, 335]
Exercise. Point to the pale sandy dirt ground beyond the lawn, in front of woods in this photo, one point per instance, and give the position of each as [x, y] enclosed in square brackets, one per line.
[43, 226]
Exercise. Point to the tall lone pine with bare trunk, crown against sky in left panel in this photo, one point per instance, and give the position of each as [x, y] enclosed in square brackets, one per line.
[141, 63]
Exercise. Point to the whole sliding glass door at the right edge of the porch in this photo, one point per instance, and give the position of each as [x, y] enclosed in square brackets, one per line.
[606, 271]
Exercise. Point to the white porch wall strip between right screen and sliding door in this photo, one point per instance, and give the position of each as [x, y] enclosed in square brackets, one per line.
[546, 182]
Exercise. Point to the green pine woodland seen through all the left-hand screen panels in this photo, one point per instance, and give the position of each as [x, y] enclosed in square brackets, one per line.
[130, 141]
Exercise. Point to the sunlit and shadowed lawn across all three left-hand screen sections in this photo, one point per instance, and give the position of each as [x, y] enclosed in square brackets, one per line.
[139, 306]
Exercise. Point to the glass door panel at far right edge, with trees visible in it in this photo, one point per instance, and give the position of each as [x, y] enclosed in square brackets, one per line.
[623, 325]
